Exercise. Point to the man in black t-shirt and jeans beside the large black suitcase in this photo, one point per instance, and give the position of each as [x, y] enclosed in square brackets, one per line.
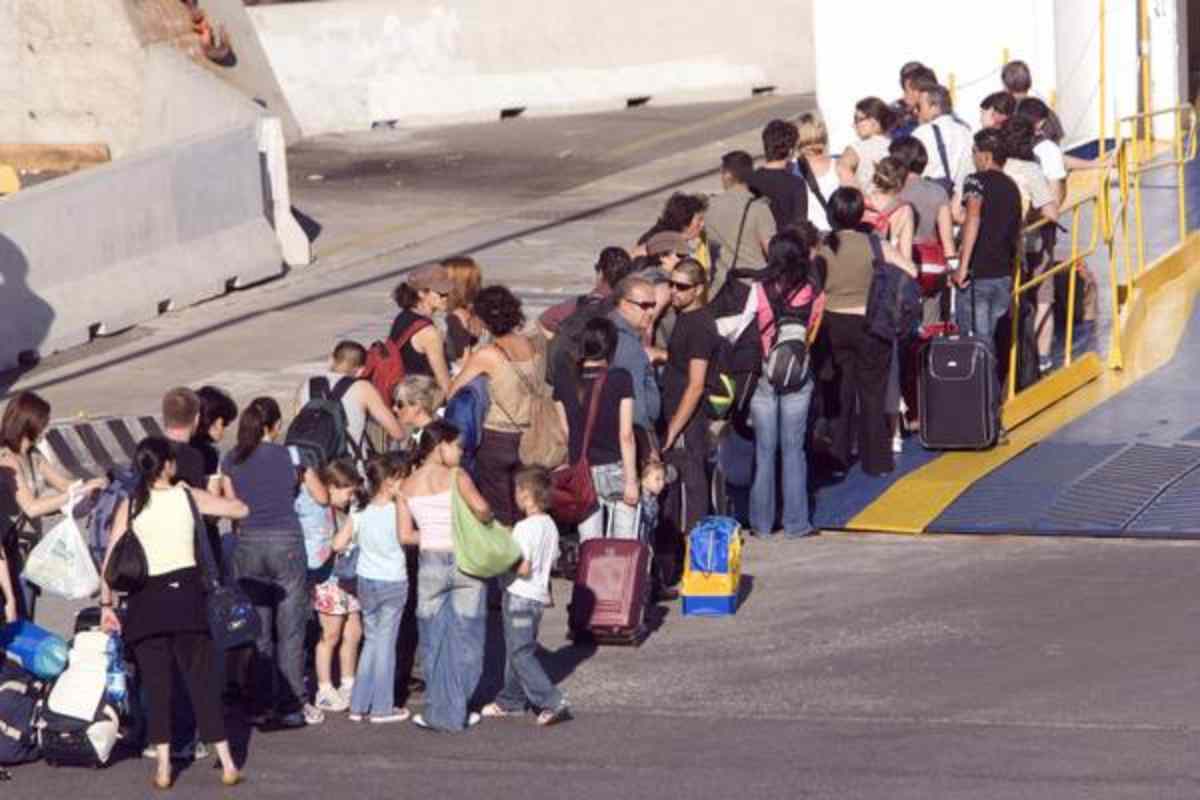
[991, 236]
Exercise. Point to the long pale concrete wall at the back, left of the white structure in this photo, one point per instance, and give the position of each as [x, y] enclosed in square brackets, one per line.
[347, 64]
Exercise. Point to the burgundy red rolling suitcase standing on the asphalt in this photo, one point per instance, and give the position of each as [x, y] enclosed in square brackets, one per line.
[611, 588]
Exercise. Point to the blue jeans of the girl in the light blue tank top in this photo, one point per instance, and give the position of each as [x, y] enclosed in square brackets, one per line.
[375, 684]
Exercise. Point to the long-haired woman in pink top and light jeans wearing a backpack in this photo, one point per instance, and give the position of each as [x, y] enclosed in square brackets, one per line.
[782, 419]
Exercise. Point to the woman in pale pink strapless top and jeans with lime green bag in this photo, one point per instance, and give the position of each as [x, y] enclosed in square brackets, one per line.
[451, 605]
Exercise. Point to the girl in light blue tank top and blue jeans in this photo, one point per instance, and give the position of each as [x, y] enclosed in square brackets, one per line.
[380, 532]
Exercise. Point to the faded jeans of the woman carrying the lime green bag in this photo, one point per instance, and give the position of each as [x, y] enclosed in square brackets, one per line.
[452, 619]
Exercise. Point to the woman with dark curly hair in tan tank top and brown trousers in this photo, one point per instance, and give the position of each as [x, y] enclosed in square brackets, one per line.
[515, 365]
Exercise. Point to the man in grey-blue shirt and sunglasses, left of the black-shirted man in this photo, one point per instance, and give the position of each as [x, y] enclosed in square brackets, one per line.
[633, 317]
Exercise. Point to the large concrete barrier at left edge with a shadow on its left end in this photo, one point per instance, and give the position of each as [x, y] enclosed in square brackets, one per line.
[117, 245]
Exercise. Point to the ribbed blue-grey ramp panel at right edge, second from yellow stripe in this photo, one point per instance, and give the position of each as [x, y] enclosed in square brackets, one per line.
[1109, 498]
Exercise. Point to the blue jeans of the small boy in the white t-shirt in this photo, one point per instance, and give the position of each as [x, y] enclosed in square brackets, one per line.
[526, 682]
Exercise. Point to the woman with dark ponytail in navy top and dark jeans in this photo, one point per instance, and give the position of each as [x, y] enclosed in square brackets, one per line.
[271, 561]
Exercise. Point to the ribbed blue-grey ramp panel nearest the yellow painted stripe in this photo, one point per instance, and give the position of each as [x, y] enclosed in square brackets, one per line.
[1016, 496]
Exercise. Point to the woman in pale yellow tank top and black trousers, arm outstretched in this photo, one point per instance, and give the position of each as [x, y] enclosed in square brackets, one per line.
[166, 623]
